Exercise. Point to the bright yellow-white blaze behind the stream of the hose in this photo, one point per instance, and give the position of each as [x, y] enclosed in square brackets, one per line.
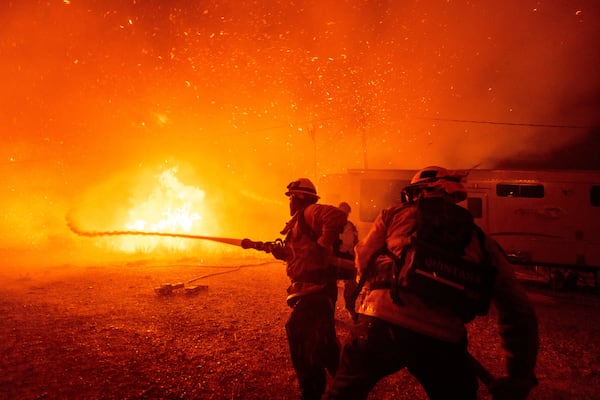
[171, 206]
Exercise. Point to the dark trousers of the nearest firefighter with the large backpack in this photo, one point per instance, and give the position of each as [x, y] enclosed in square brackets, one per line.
[378, 348]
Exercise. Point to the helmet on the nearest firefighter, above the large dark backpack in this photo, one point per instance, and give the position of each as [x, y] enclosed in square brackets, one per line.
[435, 181]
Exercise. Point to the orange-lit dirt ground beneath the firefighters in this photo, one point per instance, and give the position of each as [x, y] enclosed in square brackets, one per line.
[102, 332]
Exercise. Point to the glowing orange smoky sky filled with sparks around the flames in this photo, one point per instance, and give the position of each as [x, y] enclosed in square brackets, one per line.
[241, 98]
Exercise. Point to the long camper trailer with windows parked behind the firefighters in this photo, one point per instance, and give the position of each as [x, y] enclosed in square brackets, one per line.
[545, 220]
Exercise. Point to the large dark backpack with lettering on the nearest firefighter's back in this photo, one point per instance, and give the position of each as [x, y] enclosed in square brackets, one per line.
[438, 273]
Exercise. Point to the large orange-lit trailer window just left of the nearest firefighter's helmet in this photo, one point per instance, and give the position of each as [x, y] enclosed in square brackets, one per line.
[377, 194]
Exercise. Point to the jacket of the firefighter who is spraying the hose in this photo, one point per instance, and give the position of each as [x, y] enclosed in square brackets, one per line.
[310, 236]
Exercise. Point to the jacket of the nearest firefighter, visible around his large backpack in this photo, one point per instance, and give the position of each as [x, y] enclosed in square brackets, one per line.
[516, 317]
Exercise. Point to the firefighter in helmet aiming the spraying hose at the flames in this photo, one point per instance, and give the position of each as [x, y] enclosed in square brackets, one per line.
[309, 240]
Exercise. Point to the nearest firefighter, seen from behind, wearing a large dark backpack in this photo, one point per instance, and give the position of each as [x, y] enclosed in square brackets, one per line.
[418, 296]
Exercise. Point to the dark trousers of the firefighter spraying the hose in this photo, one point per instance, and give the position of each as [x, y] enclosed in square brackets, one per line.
[313, 343]
